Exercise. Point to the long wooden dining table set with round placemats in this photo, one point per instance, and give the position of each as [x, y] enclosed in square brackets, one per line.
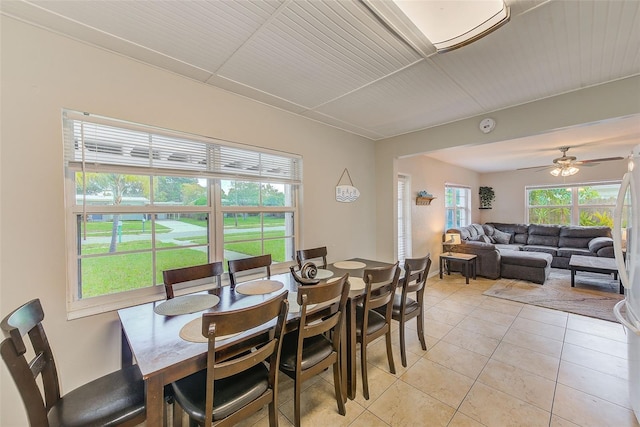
[156, 340]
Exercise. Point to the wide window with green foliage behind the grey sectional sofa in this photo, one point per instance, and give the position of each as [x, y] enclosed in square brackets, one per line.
[583, 204]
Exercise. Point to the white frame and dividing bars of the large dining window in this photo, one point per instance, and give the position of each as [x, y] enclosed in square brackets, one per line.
[79, 307]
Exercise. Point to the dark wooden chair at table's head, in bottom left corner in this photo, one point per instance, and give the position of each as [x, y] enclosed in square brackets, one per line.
[114, 399]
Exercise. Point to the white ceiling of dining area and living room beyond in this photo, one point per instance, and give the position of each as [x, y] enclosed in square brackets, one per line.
[335, 62]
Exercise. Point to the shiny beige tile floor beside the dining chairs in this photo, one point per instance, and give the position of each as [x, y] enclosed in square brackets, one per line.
[490, 362]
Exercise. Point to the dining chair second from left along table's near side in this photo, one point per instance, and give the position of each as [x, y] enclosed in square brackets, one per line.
[308, 351]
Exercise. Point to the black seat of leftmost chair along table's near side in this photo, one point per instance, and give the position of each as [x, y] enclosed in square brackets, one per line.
[231, 394]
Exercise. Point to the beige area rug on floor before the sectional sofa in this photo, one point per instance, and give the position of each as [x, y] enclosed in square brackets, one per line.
[594, 294]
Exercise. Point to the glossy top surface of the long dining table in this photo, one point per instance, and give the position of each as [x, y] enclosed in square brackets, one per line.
[154, 338]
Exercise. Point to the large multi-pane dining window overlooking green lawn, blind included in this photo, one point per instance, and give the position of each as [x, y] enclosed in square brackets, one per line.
[141, 200]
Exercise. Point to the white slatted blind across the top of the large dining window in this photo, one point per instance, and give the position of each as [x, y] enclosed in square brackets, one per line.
[94, 143]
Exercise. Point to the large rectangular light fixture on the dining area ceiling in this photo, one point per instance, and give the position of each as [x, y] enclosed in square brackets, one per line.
[447, 24]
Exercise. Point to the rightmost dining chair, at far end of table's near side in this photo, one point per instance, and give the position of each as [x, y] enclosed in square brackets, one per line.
[405, 308]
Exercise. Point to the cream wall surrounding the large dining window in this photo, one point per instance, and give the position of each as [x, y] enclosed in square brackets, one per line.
[41, 74]
